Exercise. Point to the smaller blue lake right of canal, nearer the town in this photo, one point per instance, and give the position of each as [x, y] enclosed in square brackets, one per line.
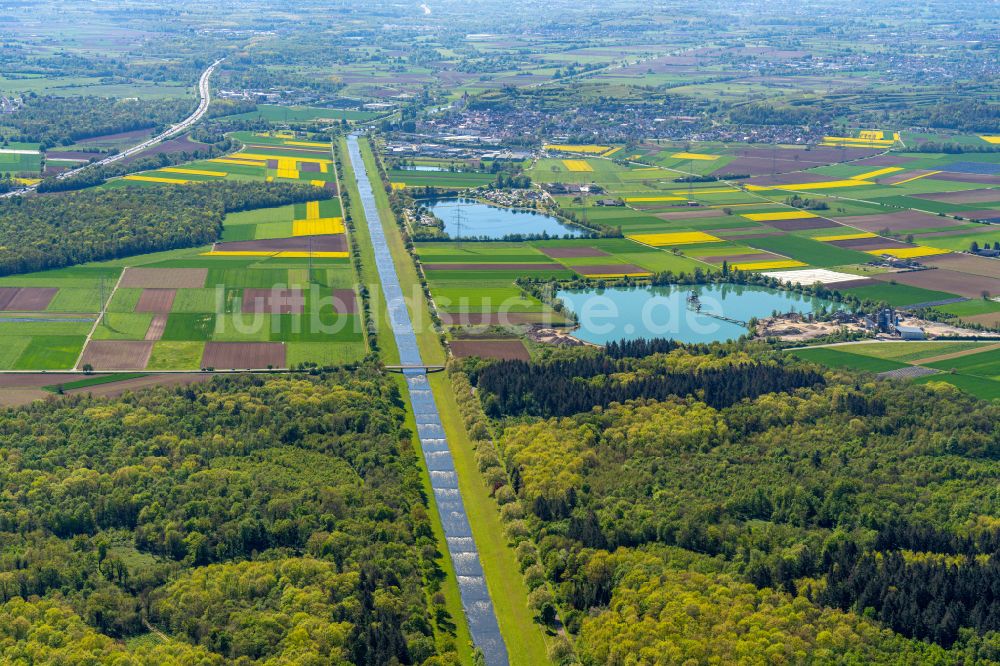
[479, 219]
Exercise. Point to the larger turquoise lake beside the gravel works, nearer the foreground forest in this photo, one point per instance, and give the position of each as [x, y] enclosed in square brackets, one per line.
[617, 313]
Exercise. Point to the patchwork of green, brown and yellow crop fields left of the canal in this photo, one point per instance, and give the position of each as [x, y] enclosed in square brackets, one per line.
[278, 290]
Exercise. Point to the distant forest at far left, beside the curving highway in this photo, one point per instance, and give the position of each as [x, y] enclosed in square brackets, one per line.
[61, 121]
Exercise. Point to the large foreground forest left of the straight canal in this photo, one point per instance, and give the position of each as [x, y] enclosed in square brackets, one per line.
[247, 520]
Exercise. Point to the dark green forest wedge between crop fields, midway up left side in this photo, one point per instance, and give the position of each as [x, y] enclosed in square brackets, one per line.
[56, 230]
